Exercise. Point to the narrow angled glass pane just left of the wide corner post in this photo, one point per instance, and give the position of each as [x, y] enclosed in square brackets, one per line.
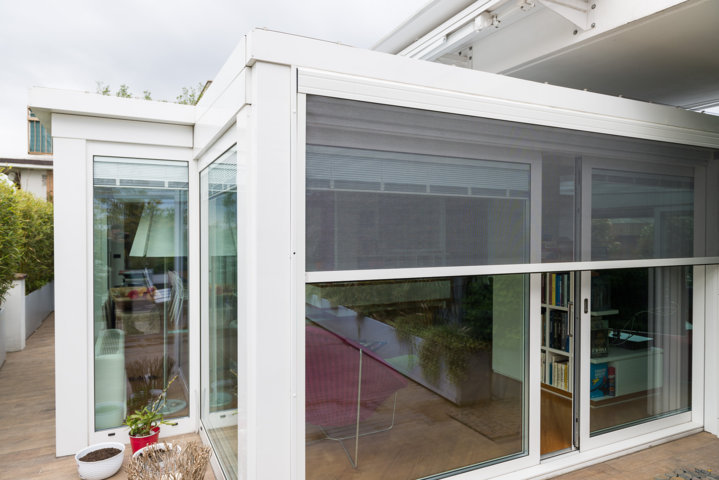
[218, 194]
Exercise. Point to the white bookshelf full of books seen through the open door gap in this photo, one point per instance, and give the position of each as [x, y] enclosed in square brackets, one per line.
[557, 330]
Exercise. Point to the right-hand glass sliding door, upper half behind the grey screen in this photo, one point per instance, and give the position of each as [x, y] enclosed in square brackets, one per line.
[638, 321]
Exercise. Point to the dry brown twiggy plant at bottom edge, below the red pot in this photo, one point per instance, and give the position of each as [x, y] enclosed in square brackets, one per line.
[188, 462]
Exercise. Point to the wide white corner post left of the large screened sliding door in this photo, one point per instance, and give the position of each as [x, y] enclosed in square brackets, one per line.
[269, 277]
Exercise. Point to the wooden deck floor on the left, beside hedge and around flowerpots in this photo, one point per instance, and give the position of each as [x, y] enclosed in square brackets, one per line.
[27, 414]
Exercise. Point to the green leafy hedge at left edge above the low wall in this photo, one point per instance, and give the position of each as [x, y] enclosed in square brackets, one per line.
[26, 239]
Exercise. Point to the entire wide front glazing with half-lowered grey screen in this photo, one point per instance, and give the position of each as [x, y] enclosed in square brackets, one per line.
[391, 188]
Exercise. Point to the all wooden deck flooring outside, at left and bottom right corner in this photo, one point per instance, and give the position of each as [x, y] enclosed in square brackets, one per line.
[27, 429]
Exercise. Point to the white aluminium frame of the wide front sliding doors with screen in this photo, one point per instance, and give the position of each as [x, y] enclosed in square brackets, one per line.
[594, 449]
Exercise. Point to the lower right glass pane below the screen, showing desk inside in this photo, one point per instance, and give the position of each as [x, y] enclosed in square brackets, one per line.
[641, 339]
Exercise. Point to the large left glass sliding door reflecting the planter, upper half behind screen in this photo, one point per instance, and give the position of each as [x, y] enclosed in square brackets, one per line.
[424, 376]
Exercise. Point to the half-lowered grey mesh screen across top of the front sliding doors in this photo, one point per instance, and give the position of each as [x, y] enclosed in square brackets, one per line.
[395, 187]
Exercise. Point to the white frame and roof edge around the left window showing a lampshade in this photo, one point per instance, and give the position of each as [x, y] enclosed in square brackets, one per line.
[84, 127]
